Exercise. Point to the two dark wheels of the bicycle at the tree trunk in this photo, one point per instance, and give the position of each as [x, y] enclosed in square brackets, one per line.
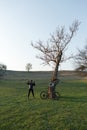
[45, 95]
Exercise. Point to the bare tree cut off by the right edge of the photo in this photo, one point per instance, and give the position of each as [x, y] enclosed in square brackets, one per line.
[81, 59]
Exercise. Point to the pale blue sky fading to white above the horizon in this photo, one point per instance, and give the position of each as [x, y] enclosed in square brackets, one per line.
[23, 21]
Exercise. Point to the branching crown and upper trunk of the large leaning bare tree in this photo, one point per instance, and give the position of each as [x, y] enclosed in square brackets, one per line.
[53, 50]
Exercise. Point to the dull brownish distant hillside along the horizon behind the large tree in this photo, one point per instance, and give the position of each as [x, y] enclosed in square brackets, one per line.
[23, 75]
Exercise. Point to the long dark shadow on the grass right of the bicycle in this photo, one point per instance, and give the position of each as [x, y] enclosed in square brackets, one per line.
[74, 99]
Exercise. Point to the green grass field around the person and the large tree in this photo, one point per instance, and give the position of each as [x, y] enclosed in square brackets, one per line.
[19, 113]
